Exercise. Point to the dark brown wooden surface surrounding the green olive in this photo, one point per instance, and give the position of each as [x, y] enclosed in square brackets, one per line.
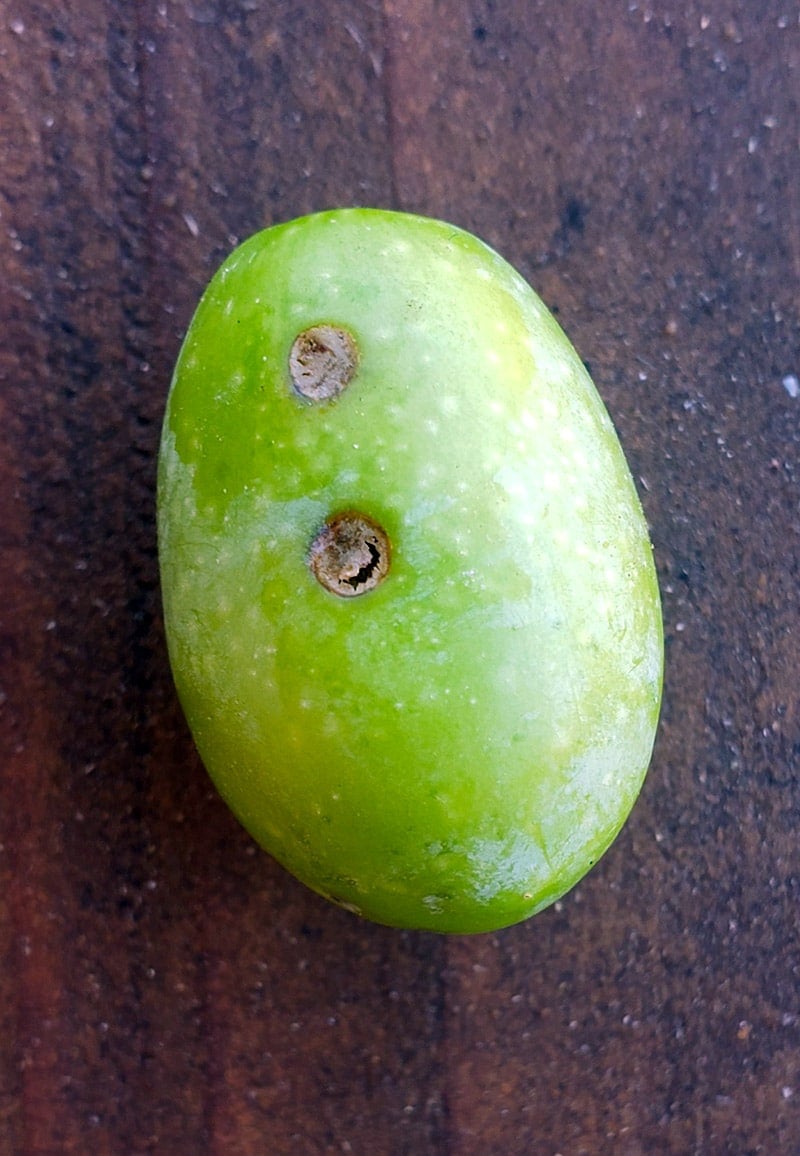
[165, 988]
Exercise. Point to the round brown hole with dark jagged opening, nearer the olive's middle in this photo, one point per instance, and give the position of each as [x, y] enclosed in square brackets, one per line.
[351, 554]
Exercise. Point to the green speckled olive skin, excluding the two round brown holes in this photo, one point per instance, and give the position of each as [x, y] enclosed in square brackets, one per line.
[455, 750]
